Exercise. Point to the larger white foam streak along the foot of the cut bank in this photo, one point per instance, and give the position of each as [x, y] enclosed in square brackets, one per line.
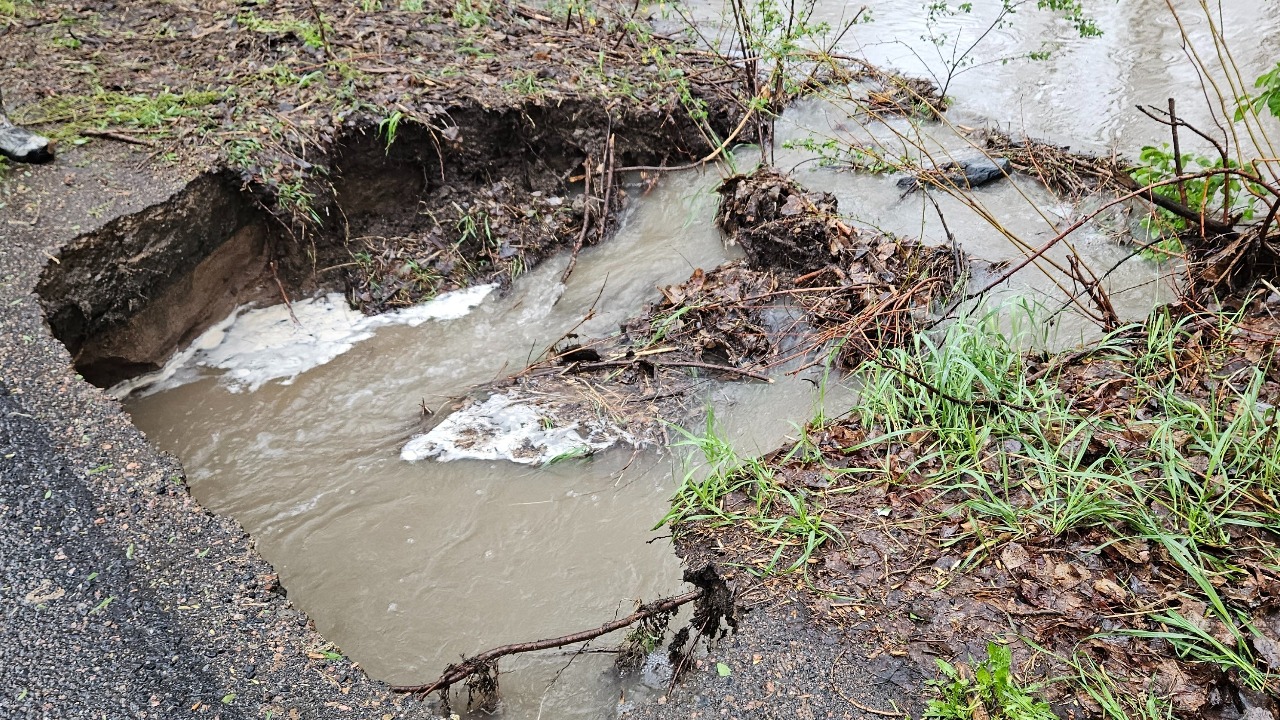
[259, 345]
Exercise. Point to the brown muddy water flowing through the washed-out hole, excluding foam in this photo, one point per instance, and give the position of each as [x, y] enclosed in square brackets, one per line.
[406, 567]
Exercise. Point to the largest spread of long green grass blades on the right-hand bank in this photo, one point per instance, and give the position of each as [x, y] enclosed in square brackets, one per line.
[1022, 461]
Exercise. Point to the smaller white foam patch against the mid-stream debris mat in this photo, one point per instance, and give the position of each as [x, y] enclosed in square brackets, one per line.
[502, 429]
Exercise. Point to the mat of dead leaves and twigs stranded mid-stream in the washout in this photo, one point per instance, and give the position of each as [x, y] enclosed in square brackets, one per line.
[810, 281]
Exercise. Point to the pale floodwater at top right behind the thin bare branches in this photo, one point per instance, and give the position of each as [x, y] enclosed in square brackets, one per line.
[1085, 94]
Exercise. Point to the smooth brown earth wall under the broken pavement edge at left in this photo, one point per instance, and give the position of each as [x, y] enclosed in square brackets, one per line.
[124, 298]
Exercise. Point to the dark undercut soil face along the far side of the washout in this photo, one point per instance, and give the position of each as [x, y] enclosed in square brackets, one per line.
[435, 209]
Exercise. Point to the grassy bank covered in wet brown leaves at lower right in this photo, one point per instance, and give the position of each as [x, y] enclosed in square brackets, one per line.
[1110, 516]
